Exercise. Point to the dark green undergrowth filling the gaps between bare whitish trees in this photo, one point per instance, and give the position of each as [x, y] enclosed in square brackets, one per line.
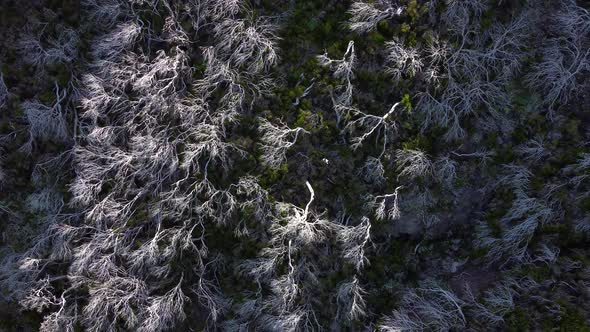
[307, 29]
